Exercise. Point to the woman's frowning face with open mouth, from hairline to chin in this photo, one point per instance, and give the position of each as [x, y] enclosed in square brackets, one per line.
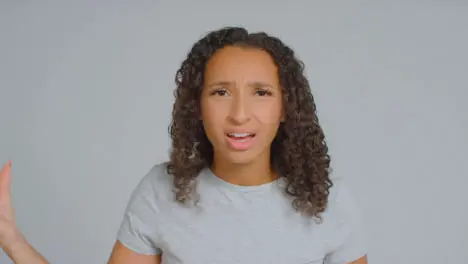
[241, 104]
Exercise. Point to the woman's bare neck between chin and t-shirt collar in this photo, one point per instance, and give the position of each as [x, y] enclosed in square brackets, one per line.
[257, 172]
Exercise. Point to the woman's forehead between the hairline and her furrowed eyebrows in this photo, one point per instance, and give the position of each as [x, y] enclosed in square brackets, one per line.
[241, 63]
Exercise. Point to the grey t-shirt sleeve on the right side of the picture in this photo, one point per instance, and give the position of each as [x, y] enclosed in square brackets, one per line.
[351, 241]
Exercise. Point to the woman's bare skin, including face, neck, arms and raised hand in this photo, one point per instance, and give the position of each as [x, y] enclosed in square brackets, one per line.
[241, 92]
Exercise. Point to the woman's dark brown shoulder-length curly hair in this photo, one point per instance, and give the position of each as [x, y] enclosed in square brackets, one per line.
[300, 151]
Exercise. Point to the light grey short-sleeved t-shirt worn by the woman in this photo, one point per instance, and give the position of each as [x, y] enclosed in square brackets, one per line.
[238, 224]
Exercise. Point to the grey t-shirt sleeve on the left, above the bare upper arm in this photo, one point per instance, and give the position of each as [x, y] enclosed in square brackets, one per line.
[135, 232]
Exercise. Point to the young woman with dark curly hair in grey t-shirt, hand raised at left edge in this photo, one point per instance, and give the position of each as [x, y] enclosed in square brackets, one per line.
[248, 180]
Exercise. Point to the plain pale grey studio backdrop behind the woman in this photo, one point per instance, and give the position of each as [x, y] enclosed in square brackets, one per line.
[86, 98]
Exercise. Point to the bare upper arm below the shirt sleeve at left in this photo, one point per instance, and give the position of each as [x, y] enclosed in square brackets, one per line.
[123, 255]
